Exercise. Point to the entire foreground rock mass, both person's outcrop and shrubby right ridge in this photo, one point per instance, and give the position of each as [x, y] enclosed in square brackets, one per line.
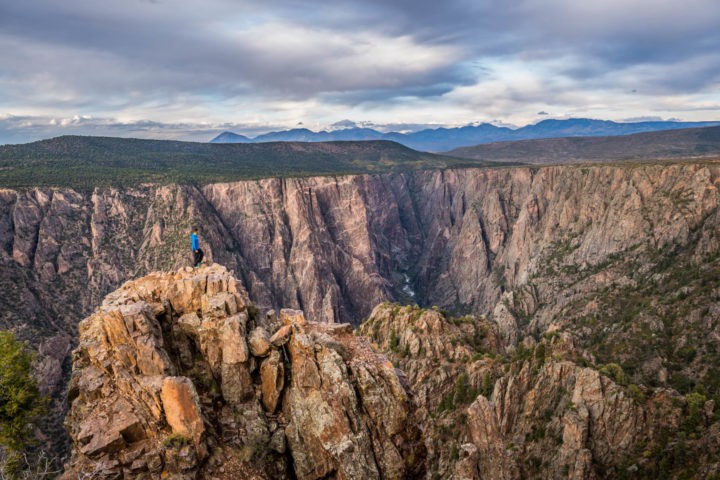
[178, 375]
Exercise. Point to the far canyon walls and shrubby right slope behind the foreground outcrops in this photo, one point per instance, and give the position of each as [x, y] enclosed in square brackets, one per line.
[622, 258]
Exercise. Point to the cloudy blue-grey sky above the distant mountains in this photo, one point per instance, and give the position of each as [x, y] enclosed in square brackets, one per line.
[190, 69]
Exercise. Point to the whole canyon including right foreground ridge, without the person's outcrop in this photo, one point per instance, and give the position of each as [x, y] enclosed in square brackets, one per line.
[609, 267]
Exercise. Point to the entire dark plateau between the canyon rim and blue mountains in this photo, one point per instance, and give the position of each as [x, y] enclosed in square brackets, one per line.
[88, 162]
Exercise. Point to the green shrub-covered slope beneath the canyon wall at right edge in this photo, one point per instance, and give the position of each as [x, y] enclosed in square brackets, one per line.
[655, 311]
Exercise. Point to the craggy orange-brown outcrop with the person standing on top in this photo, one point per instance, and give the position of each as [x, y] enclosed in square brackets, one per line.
[164, 383]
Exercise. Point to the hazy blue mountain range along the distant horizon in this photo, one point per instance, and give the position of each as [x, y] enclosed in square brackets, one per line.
[443, 139]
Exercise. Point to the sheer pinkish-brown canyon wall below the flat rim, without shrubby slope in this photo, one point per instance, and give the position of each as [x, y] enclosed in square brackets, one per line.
[338, 246]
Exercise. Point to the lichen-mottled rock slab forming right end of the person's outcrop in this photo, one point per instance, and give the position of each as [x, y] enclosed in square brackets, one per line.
[331, 416]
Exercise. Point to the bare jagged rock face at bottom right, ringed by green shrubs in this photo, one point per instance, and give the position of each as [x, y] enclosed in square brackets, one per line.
[563, 421]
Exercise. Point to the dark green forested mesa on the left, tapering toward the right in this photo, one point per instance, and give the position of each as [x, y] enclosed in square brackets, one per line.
[87, 162]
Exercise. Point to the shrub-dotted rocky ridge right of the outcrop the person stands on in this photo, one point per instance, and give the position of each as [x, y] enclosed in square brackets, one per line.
[533, 411]
